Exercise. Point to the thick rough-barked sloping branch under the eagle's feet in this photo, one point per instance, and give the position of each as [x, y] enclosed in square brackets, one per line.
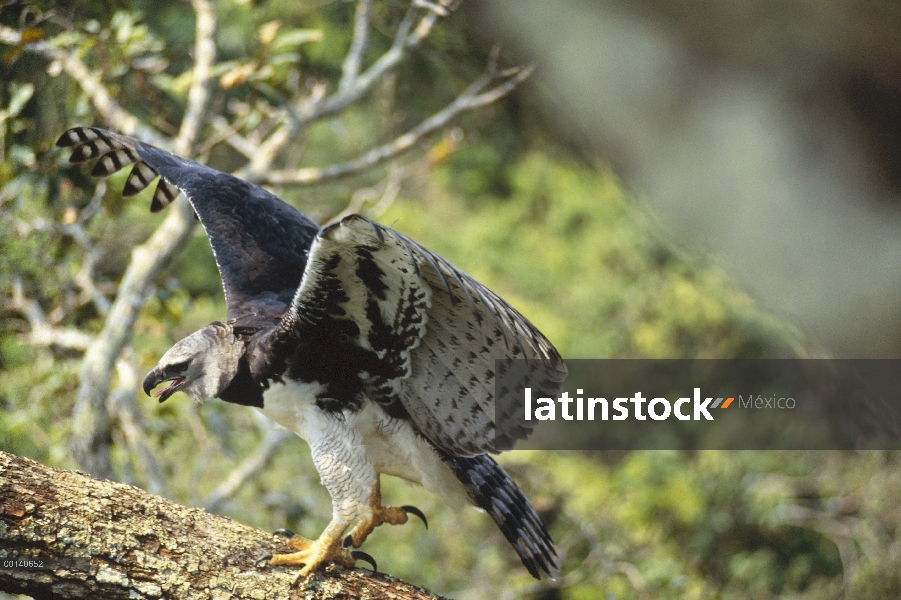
[109, 540]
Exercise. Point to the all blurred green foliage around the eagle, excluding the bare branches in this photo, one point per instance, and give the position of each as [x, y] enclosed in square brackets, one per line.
[559, 239]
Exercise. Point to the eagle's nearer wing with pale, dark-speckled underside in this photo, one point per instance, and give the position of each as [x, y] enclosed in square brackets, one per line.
[433, 330]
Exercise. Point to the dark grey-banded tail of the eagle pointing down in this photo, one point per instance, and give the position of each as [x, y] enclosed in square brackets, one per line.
[492, 489]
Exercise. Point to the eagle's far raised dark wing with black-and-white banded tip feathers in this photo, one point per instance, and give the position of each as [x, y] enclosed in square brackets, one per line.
[260, 242]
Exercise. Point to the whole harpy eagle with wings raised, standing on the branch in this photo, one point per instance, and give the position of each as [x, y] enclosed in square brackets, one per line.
[376, 351]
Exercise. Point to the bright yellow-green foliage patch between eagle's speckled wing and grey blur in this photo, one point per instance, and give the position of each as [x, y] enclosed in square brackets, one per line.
[586, 263]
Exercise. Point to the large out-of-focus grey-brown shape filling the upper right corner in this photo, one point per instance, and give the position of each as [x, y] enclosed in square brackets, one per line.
[767, 133]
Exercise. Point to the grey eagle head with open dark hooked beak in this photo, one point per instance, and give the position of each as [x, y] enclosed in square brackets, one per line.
[200, 365]
